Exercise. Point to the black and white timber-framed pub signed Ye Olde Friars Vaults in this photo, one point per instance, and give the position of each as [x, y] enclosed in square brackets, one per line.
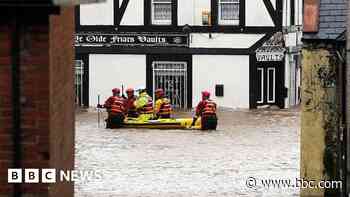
[244, 52]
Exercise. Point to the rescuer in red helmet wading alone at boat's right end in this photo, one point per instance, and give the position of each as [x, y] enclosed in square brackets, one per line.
[206, 109]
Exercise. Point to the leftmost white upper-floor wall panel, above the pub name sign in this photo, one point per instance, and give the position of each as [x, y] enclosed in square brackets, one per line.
[97, 14]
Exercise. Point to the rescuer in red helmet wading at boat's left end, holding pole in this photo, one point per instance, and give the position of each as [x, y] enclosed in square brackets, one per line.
[115, 106]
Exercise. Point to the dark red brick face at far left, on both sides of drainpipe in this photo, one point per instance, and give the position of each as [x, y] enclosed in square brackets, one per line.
[34, 107]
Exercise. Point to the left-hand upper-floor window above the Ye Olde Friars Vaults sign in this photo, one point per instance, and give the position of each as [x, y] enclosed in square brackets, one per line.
[161, 12]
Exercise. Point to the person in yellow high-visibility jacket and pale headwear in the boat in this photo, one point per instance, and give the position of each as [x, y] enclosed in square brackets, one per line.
[144, 105]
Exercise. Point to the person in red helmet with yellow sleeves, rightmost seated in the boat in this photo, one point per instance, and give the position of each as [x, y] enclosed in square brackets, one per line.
[163, 107]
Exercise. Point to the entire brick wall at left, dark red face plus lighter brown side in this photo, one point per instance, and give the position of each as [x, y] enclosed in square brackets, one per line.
[47, 101]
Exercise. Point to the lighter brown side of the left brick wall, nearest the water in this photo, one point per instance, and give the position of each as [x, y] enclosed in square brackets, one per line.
[62, 108]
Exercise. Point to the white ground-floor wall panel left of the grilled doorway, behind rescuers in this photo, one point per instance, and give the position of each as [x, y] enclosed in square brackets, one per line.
[110, 71]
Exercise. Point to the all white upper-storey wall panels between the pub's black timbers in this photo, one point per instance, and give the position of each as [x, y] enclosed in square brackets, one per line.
[189, 12]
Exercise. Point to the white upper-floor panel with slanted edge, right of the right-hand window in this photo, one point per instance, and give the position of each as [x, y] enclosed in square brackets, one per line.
[257, 14]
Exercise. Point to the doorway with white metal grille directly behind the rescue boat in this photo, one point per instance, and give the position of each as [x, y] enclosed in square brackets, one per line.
[171, 76]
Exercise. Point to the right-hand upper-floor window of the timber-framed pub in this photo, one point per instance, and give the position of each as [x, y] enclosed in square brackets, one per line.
[228, 12]
